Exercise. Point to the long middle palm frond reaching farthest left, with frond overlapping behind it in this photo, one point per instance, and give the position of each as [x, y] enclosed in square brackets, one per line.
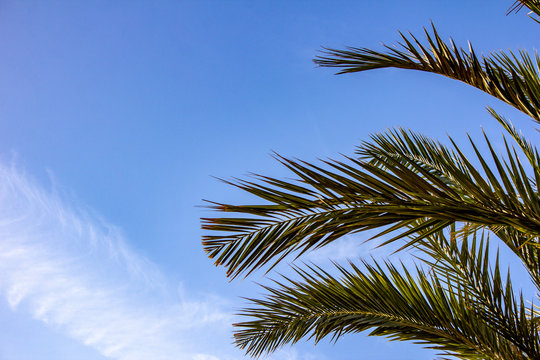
[401, 178]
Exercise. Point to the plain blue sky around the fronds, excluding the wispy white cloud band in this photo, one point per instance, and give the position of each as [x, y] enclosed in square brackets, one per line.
[133, 106]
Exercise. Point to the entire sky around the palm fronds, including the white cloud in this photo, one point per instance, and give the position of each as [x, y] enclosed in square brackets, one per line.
[115, 115]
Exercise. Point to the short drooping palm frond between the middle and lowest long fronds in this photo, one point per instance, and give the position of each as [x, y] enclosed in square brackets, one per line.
[464, 263]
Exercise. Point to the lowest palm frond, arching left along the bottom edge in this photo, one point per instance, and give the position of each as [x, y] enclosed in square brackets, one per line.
[387, 301]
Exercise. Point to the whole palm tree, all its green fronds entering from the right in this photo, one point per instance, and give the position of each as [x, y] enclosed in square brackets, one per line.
[434, 199]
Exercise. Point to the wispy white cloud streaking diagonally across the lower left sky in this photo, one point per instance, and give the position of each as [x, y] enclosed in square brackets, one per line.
[75, 272]
